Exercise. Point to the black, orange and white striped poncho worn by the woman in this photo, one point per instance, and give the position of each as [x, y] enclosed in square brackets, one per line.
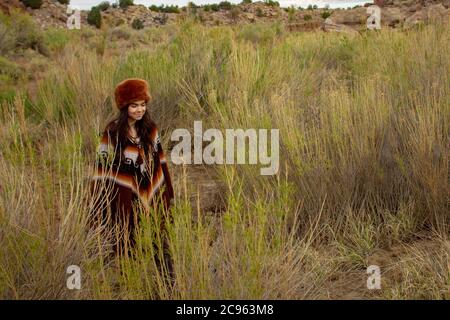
[135, 174]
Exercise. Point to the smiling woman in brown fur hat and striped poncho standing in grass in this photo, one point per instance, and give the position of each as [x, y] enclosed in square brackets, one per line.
[133, 164]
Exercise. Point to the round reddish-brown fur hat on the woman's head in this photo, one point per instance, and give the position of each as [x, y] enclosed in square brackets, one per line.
[130, 90]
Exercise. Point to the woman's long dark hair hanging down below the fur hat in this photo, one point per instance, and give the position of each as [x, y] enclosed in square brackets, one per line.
[118, 129]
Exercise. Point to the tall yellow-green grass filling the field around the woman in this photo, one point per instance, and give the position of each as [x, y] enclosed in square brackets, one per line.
[364, 163]
